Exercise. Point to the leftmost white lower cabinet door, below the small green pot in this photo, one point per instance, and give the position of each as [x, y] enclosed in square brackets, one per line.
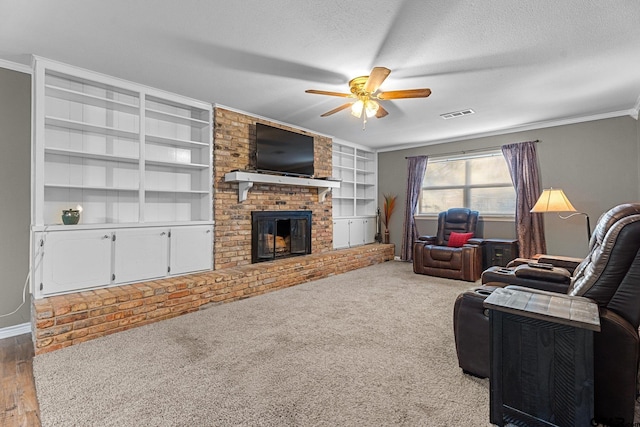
[73, 260]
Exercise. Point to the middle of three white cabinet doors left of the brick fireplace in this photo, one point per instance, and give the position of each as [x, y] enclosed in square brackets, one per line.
[141, 254]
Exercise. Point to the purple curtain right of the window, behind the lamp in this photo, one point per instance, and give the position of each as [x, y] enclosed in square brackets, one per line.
[522, 160]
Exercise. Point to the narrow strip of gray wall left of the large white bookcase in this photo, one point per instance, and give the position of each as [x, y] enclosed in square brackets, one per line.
[15, 173]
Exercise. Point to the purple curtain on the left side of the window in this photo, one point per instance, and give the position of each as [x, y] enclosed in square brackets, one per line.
[416, 167]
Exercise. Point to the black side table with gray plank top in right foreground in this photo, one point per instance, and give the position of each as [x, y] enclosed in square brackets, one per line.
[541, 357]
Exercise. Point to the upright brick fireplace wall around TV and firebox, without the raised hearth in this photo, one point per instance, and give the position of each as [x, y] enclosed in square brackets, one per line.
[234, 140]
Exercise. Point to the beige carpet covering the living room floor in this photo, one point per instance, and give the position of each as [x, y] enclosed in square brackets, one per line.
[373, 347]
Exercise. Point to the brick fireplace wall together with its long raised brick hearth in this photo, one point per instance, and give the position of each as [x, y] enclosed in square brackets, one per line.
[65, 320]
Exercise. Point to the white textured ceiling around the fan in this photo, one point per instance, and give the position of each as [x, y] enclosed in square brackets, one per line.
[517, 64]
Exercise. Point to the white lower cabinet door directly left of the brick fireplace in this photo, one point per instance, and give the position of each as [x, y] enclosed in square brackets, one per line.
[191, 249]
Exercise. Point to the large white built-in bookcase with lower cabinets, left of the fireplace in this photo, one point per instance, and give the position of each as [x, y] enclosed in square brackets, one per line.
[133, 158]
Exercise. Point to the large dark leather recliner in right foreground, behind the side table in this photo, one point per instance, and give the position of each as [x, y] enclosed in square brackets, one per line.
[610, 276]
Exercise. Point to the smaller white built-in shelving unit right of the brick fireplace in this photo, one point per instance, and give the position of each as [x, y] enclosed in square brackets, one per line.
[355, 202]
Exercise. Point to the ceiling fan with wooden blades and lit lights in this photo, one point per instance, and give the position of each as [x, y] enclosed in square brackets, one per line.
[364, 90]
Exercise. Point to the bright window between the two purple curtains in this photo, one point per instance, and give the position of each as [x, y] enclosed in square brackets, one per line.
[481, 183]
